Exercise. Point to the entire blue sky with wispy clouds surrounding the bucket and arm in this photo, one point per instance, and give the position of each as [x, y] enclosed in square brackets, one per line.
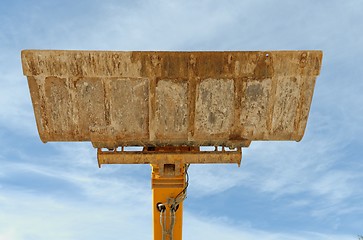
[283, 190]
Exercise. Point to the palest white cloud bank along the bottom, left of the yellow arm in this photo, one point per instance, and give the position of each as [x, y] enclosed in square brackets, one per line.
[28, 216]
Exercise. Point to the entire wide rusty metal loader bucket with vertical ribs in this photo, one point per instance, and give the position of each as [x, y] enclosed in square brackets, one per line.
[171, 98]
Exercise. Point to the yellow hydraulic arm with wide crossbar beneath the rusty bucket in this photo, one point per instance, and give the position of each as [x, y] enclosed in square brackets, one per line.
[169, 179]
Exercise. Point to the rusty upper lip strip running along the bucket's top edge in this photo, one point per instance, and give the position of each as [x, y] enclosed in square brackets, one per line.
[105, 63]
